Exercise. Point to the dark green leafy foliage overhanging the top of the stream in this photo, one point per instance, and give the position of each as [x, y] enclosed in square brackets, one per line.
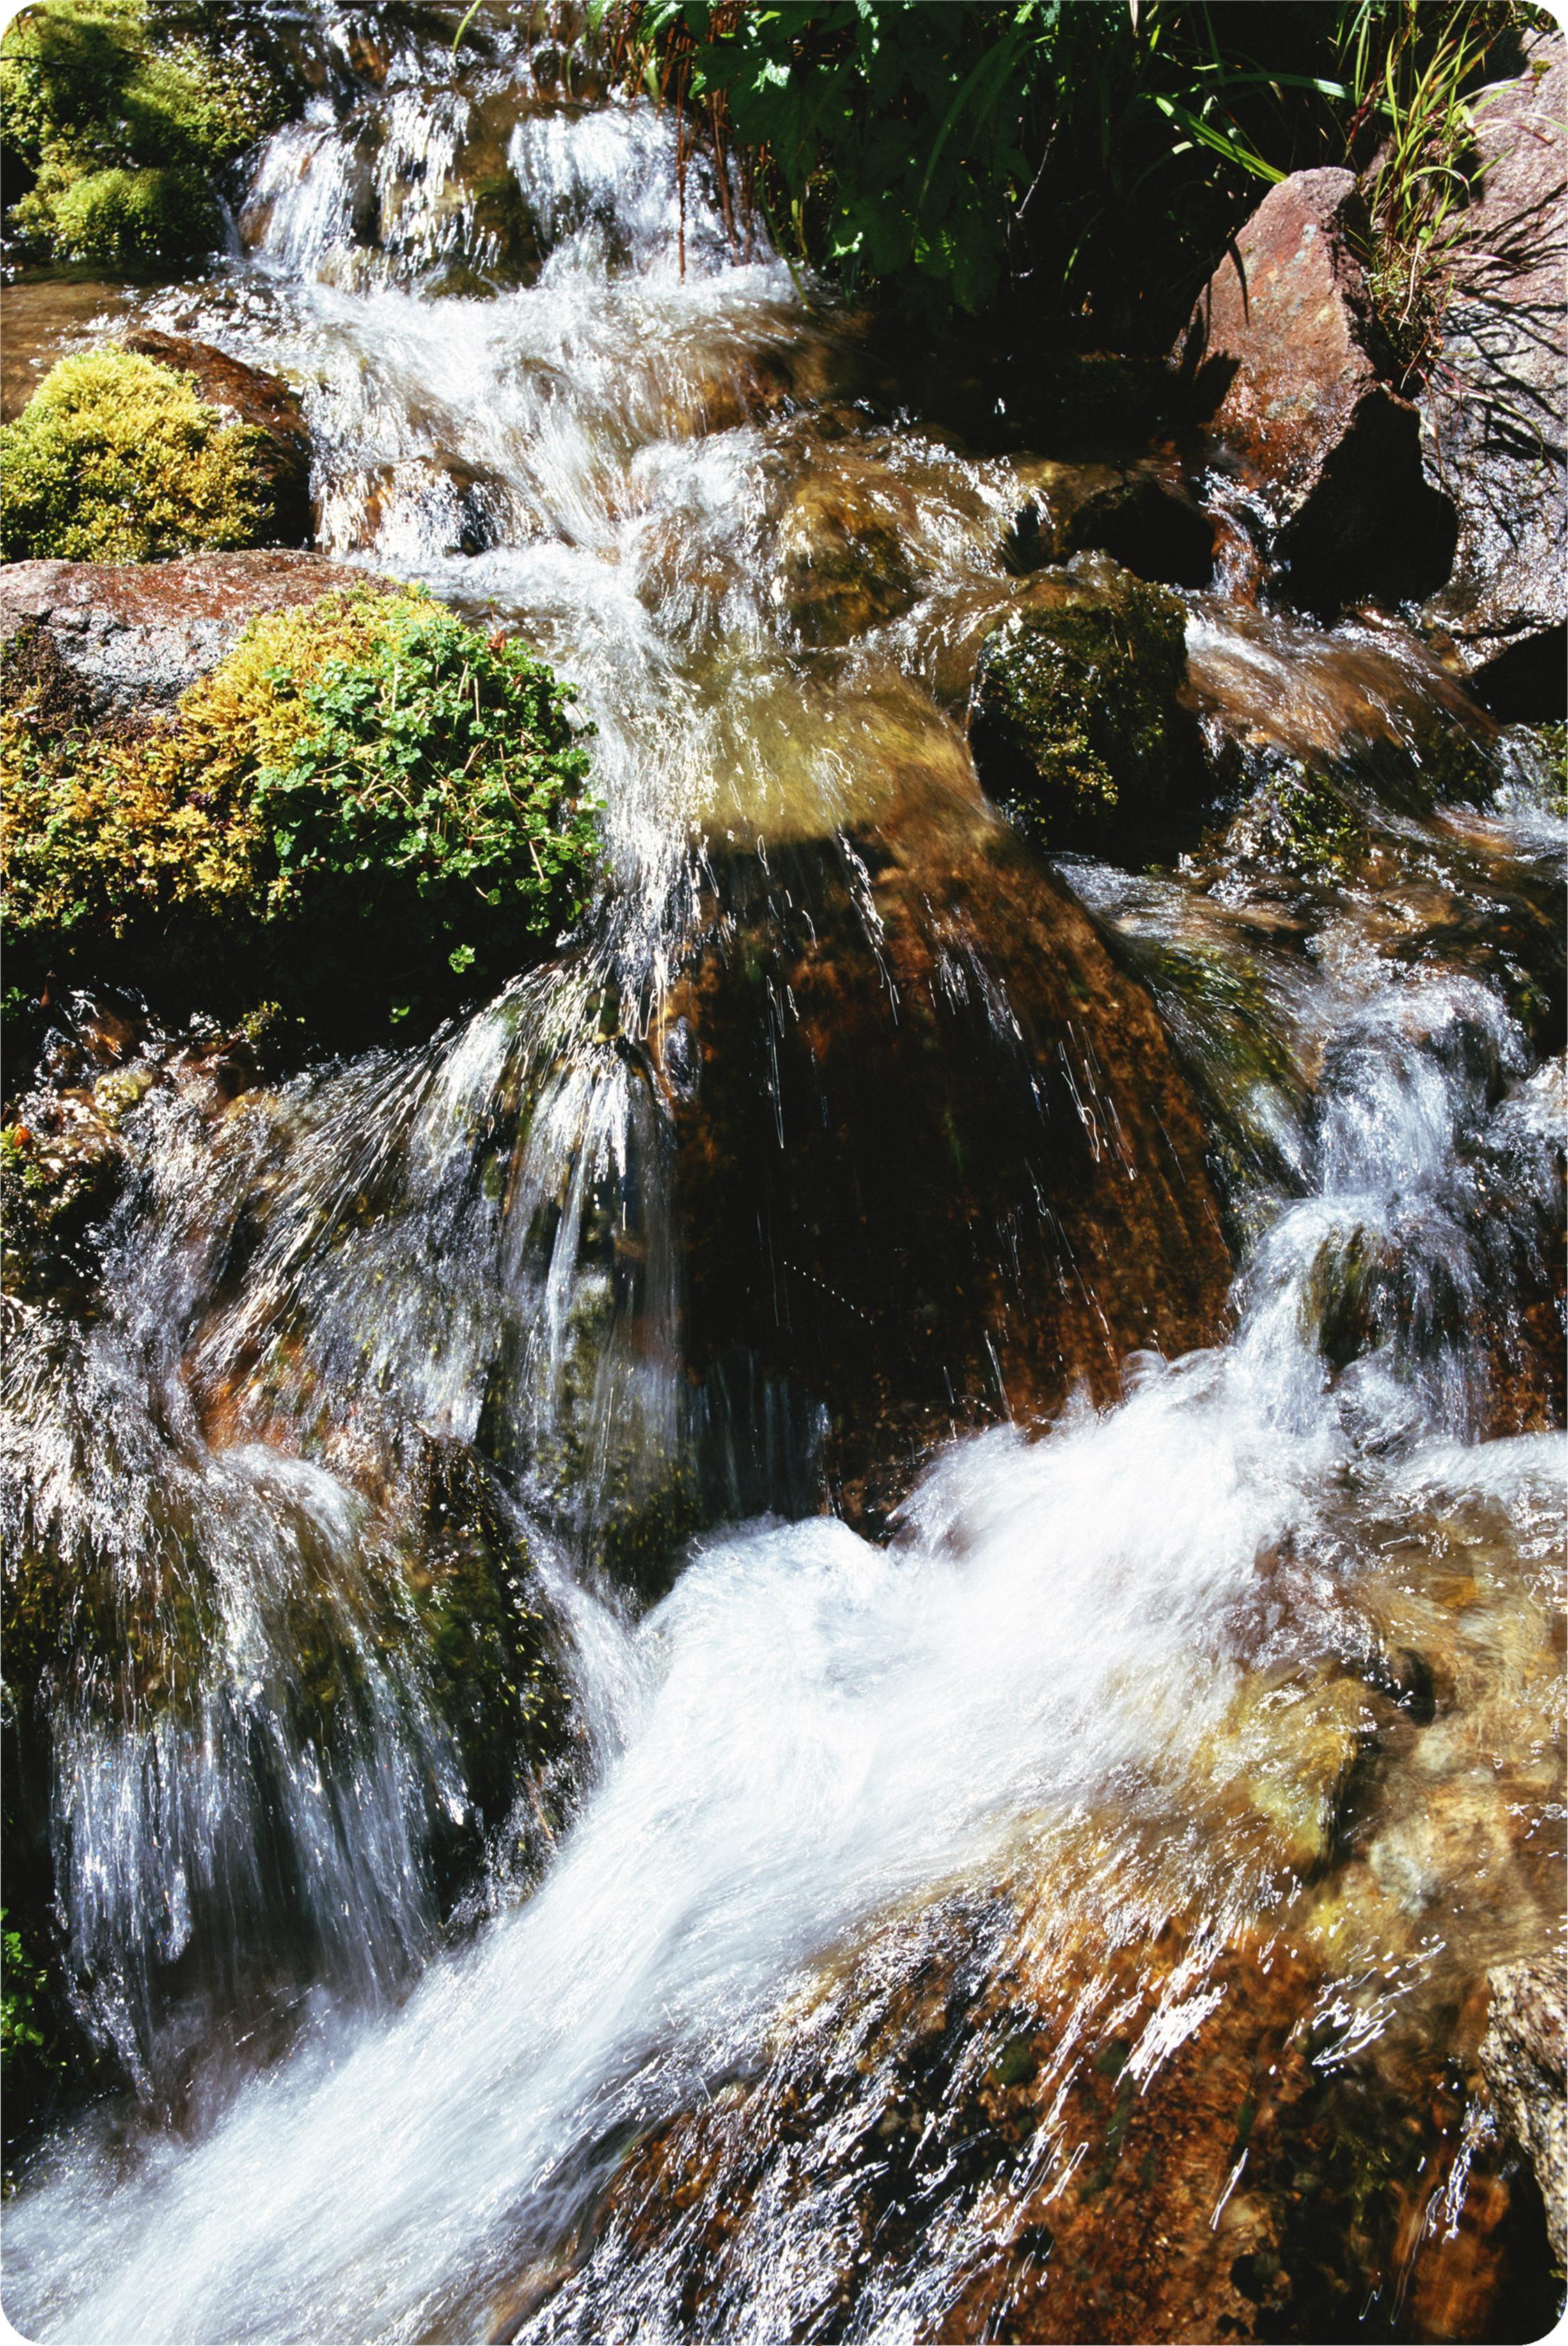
[1090, 154]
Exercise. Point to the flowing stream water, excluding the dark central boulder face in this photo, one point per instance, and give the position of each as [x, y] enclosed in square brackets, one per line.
[450, 1284]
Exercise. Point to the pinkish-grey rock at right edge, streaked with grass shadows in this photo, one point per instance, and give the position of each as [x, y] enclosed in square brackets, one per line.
[1494, 402]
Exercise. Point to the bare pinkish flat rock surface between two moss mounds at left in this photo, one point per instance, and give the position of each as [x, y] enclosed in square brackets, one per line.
[137, 635]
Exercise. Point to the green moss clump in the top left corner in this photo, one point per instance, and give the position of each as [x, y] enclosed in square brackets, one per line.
[123, 133]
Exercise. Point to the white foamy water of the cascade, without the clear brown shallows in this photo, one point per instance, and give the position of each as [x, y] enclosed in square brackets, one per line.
[809, 1728]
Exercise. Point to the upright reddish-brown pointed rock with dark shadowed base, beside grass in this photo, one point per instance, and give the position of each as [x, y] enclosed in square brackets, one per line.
[1283, 362]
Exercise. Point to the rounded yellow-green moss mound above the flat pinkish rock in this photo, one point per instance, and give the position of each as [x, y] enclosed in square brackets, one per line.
[119, 459]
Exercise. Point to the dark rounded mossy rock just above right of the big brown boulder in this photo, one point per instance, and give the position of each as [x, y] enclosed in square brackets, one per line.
[1076, 714]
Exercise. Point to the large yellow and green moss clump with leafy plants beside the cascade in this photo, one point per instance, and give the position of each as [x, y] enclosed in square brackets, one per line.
[367, 813]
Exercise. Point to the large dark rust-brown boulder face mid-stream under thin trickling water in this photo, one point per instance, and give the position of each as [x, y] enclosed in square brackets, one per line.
[931, 1144]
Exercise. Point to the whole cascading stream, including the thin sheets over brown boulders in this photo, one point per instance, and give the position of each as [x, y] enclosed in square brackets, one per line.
[1238, 1681]
